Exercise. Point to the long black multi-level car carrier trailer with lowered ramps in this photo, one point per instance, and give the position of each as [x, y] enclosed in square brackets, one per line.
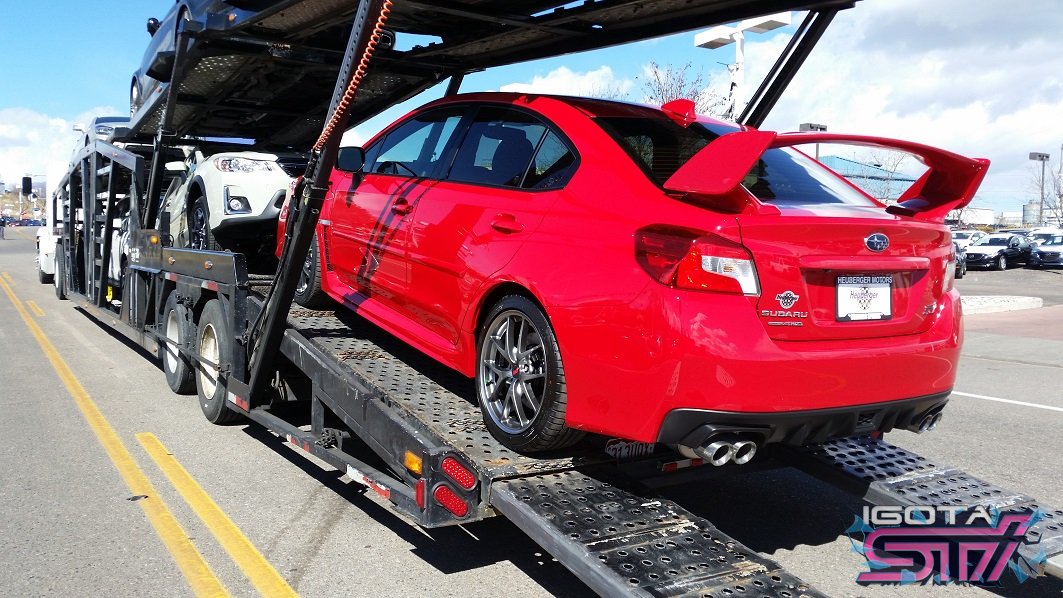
[347, 394]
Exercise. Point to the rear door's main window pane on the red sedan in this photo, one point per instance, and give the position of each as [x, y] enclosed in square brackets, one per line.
[499, 148]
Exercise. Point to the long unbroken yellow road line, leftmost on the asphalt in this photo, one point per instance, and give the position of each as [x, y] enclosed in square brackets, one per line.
[189, 559]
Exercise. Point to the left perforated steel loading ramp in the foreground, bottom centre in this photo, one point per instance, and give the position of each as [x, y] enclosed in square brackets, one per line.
[622, 543]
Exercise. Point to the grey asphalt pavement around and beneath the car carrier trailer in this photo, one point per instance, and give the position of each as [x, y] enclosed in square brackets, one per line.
[75, 526]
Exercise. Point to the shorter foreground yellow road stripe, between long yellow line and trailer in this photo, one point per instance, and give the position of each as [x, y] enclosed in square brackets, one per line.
[258, 570]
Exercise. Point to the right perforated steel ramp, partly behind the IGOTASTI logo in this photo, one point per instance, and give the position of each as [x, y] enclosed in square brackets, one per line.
[884, 474]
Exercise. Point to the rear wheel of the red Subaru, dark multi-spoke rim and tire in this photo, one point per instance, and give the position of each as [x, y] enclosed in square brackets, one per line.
[509, 387]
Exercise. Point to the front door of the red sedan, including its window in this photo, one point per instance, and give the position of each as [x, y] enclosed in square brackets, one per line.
[369, 219]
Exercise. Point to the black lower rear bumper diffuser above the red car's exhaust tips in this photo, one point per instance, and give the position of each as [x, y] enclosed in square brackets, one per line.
[693, 428]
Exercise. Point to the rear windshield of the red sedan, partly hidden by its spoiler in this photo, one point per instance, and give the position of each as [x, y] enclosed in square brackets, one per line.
[783, 176]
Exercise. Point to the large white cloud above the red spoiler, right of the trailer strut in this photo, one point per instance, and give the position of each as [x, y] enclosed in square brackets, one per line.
[965, 76]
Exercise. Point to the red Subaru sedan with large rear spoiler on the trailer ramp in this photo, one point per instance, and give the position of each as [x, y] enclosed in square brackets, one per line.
[648, 274]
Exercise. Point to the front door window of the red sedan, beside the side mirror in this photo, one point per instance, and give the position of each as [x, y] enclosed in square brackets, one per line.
[417, 147]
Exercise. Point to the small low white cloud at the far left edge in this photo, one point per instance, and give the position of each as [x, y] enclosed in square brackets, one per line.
[36, 144]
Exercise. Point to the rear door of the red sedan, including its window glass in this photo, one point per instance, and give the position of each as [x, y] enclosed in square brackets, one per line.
[471, 225]
